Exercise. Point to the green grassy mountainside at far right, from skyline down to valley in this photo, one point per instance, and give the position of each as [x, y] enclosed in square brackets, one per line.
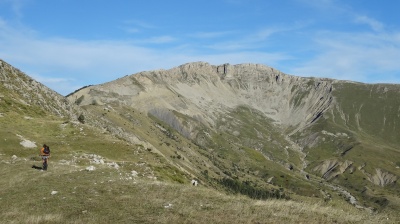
[361, 114]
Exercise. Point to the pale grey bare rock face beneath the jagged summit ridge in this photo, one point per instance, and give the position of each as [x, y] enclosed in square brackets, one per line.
[202, 90]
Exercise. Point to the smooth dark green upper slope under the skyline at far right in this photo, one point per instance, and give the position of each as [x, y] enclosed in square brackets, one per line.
[377, 110]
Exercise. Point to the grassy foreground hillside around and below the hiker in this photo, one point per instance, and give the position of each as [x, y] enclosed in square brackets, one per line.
[113, 195]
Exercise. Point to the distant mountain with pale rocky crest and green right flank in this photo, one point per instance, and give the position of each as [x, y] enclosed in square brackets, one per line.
[303, 109]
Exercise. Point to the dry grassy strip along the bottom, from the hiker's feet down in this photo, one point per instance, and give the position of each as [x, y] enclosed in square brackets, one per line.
[105, 196]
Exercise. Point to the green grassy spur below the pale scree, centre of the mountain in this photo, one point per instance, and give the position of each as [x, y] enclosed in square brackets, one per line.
[257, 152]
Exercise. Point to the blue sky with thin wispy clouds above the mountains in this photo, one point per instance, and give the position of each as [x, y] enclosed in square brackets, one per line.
[67, 44]
